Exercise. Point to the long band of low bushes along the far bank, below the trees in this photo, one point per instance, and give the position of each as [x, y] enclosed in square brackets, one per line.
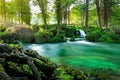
[40, 35]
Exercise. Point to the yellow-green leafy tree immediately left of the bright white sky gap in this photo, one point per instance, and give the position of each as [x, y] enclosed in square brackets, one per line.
[23, 11]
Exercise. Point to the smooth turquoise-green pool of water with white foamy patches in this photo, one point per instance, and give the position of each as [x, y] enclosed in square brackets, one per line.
[81, 54]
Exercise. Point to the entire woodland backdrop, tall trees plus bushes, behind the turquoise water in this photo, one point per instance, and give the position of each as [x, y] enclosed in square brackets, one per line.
[60, 19]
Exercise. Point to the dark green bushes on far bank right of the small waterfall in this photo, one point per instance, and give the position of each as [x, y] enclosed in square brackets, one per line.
[102, 36]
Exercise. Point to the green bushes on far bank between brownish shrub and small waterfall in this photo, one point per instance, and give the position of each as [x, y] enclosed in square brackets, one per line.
[48, 36]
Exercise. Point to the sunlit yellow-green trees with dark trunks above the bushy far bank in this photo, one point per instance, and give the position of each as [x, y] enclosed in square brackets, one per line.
[102, 12]
